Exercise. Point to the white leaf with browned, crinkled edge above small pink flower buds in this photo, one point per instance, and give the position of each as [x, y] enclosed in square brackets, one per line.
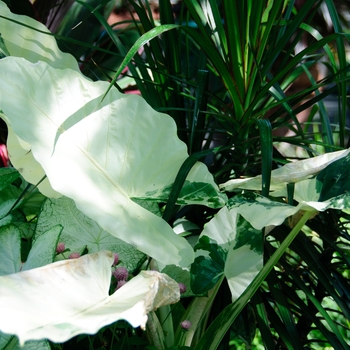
[67, 298]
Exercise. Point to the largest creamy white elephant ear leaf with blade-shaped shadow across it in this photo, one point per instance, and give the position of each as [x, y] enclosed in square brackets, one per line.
[101, 154]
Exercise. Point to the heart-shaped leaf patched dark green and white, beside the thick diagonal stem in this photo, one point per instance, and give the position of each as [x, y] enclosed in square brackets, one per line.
[228, 245]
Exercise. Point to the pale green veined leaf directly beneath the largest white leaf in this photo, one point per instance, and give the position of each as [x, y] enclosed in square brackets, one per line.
[79, 231]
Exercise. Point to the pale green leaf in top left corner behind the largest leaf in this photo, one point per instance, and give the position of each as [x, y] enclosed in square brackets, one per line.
[25, 37]
